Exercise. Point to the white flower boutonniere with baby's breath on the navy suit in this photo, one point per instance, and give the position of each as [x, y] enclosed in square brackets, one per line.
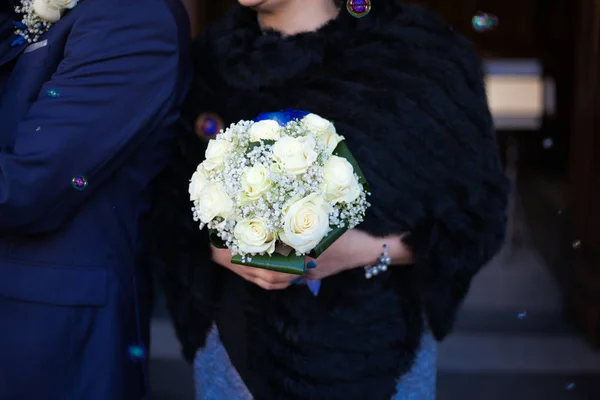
[38, 17]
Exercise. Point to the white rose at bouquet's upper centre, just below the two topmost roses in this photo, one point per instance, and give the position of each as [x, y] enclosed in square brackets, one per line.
[295, 155]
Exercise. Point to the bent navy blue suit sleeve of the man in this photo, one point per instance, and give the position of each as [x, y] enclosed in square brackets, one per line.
[116, 85]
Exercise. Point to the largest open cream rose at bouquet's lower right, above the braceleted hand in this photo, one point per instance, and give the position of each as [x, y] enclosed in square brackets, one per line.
[306, 223]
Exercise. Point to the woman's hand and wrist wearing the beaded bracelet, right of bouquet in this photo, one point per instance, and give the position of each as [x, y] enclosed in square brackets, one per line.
[355, 249]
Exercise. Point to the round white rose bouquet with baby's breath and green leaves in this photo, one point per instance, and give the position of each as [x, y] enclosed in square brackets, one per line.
[277, 189]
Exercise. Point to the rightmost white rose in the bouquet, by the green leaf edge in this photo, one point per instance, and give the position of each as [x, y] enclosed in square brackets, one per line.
[341, 185]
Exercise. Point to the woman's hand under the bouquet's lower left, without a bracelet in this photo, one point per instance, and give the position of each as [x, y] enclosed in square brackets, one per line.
[269, 280]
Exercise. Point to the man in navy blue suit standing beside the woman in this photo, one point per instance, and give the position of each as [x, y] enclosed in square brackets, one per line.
[86, 118]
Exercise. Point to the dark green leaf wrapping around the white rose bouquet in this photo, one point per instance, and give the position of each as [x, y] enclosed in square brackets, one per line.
[293, 264]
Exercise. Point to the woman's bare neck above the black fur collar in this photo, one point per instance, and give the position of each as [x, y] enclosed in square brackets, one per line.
[298, 16]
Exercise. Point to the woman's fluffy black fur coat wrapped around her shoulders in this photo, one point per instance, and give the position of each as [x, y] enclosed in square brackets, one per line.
[407, 93]
